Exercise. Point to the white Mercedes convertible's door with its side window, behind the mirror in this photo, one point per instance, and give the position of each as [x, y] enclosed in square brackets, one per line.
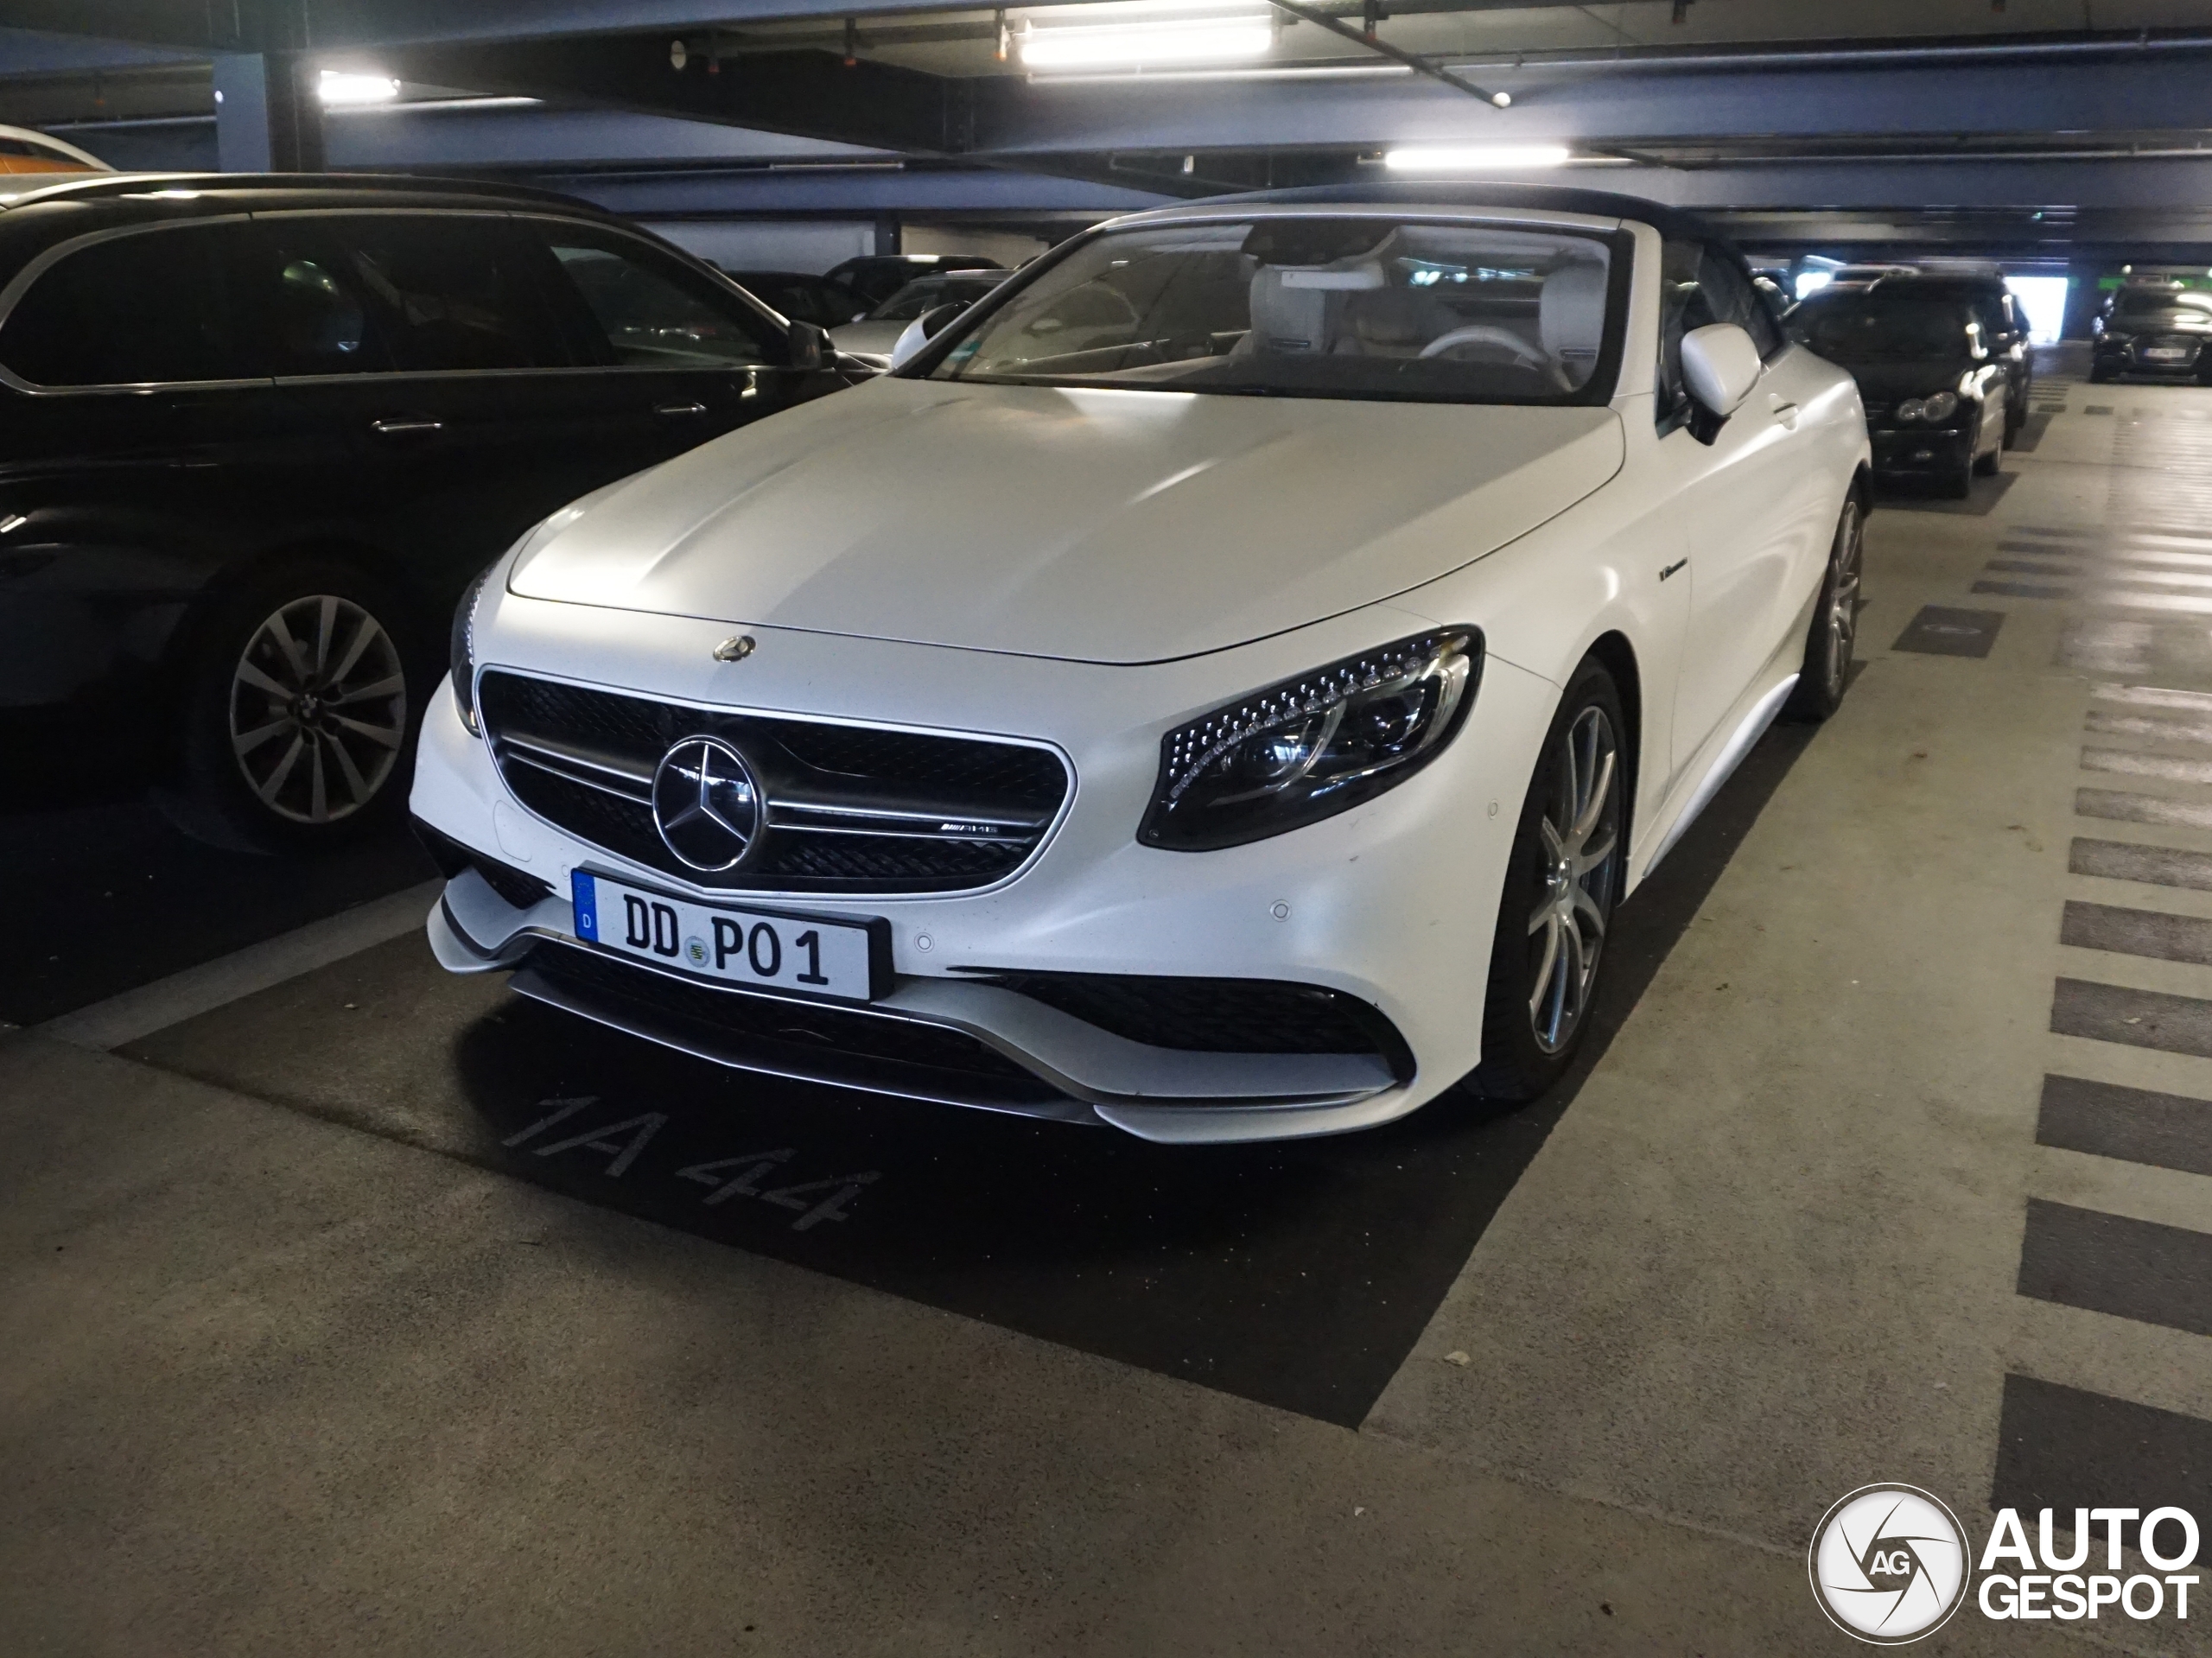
[1755, 518]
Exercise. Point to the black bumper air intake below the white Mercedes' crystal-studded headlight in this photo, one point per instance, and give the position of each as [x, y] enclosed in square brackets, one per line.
[1218, 1016]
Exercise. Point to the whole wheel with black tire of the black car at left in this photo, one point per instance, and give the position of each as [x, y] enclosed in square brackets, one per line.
[269, 759]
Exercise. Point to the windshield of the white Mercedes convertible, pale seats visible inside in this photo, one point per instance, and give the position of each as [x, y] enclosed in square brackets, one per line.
[1315, 308]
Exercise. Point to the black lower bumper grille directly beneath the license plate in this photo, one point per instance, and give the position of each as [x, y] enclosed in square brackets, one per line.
[795, 1036]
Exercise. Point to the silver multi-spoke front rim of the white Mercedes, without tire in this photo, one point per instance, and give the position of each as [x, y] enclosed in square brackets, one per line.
[1580, 835]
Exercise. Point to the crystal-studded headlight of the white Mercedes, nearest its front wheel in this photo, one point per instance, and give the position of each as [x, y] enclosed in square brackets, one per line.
[1313, 746]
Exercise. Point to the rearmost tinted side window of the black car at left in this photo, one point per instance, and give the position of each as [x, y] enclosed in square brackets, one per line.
[154, 306]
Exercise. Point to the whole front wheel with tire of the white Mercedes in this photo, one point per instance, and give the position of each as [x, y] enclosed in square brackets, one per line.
[1558, 901]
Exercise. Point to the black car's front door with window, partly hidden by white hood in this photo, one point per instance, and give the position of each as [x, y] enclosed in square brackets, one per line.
[669, 355]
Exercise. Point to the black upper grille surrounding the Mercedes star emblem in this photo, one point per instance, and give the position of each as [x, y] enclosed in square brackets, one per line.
[855, 810]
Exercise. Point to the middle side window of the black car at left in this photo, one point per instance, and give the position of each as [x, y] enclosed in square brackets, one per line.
[408, 295]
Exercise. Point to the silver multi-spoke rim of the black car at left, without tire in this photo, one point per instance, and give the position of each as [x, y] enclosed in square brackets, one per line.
[317, 709]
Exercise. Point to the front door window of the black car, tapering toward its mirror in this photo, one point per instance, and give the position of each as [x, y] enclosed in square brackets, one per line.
[638, 308]
